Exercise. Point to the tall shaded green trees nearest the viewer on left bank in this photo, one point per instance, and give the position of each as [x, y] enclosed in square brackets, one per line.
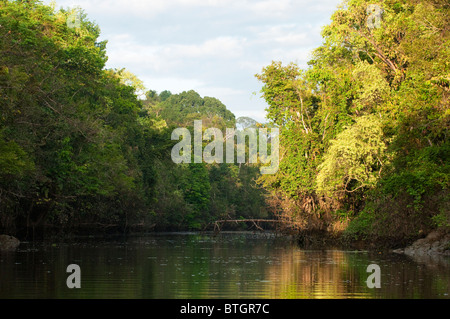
[59, 144]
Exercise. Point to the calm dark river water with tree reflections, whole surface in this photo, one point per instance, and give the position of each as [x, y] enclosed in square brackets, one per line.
[229, 265]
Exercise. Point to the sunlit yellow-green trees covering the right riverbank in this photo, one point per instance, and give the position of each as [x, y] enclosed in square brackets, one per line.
[364, 130]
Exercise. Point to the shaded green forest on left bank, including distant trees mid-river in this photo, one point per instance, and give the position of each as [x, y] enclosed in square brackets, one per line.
[80, 149]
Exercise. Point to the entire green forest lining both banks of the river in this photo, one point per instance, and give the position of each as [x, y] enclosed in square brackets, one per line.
[364, 151]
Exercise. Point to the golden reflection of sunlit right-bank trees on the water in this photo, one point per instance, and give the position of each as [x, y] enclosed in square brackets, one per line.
[340, 274]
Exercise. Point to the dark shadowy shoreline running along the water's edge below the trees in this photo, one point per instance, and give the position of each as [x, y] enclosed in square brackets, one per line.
[304, 239]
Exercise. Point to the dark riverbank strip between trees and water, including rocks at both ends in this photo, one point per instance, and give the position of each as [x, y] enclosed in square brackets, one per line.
[436, 242]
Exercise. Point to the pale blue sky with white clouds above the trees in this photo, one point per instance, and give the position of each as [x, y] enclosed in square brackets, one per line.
[214, 47]
